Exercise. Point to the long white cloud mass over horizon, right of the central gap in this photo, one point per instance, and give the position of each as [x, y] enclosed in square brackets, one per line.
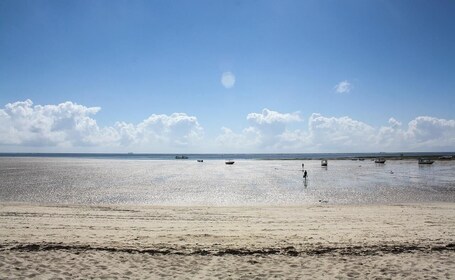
[268, 132]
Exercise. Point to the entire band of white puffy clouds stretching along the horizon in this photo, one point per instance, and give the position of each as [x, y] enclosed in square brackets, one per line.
[69, 126]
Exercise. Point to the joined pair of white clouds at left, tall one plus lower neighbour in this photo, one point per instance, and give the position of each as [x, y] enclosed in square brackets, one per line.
[72, 125]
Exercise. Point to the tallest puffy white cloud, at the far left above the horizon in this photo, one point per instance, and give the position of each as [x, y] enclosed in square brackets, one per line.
[64, 124]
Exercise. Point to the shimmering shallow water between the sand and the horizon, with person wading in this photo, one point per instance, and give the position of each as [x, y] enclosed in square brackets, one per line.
[247, 182]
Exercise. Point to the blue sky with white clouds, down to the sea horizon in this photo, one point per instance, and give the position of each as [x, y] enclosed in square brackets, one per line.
[227, 76]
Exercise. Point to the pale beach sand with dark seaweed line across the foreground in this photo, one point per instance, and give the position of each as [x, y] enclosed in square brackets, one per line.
[411, 241]
